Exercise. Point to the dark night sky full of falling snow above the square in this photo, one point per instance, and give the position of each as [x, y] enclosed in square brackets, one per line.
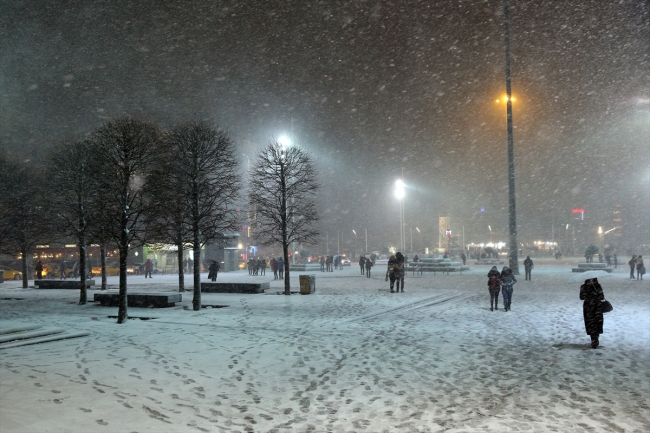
[373, 88]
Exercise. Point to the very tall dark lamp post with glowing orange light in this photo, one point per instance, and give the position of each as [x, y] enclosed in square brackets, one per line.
[512, 211]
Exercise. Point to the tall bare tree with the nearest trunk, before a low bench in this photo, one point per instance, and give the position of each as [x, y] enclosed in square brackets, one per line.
[124, 153]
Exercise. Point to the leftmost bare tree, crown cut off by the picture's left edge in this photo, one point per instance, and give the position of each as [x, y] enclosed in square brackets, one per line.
[23, 215]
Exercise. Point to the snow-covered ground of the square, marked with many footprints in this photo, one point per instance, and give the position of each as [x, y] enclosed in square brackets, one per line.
[350, 358]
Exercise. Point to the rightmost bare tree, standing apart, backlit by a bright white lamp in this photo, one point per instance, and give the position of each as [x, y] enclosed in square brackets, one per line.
[282, 198]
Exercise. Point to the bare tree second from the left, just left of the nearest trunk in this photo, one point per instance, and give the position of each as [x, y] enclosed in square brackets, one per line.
[73, 198]
